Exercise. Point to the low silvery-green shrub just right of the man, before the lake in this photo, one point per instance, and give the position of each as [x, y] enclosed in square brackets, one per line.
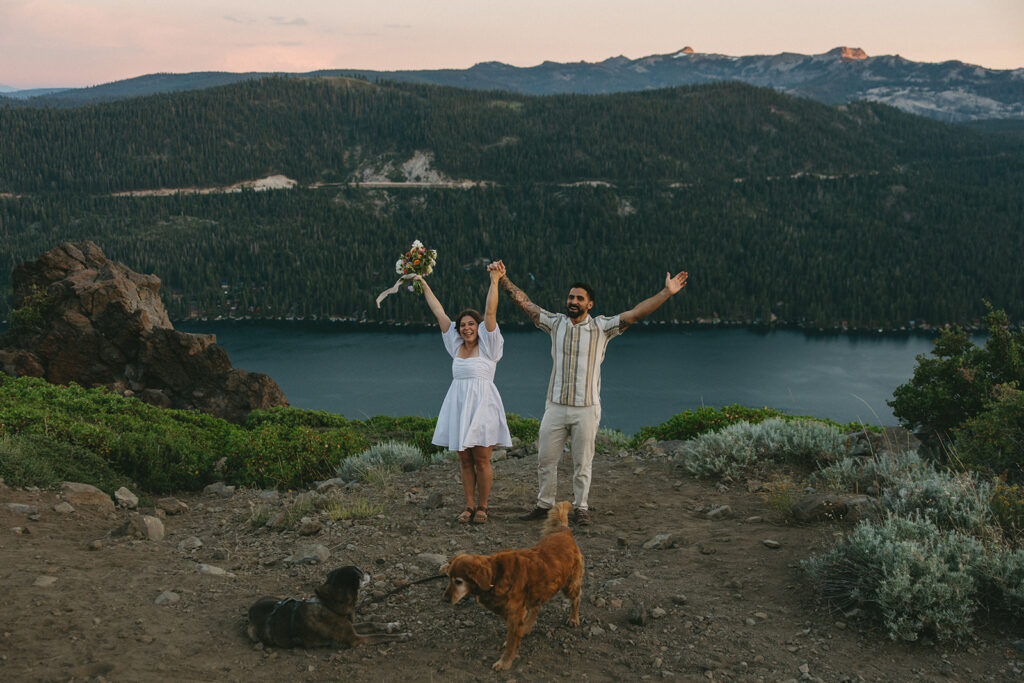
[740, 448]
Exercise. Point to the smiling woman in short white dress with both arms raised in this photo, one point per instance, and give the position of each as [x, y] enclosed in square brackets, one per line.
[473, 417]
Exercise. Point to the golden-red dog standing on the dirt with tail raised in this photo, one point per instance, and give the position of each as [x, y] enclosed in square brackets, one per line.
[515, 584]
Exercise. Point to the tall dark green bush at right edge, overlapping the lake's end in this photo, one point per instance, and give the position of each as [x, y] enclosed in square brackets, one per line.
[960, 380]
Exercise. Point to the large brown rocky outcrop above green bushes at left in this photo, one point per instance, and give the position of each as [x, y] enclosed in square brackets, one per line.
[88, 320]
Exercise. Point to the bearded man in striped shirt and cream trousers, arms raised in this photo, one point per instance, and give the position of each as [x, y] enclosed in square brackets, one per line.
[573, 409]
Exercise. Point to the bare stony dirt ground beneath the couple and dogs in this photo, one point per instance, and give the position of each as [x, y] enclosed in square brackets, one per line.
[720, 604]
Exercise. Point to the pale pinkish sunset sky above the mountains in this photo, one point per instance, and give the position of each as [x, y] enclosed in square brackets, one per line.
[75, 44]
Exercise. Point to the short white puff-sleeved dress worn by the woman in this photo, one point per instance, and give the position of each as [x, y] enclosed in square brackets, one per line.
[473, 413]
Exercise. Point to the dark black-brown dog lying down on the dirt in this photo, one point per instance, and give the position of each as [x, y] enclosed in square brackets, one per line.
[327, 621]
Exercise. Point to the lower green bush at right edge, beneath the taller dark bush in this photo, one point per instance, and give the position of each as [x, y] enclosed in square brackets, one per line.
[994, 440]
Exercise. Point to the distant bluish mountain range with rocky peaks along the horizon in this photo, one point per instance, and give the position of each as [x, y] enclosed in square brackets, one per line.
[953, 92]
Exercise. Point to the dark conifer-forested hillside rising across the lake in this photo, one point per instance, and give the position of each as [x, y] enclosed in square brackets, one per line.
[856, 217]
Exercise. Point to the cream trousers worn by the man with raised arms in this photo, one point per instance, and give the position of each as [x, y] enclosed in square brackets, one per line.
[562, 423]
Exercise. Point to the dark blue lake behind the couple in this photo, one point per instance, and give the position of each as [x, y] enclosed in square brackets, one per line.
[650, 374]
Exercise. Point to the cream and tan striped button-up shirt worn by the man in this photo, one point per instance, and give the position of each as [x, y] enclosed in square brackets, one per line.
[577, 353]
